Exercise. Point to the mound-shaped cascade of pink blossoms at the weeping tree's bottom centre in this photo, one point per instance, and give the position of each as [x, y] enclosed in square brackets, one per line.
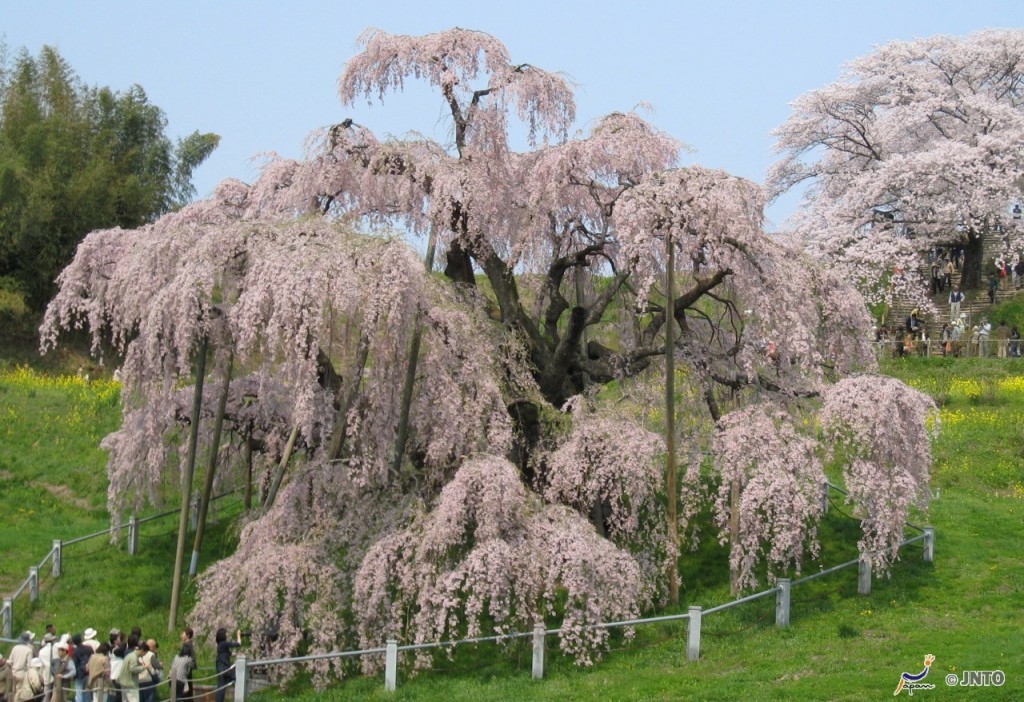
[491, 554]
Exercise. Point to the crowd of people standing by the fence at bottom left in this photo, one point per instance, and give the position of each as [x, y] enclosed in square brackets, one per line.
[125, 669]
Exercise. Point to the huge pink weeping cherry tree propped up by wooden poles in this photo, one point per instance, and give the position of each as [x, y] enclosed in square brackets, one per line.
[531, 475]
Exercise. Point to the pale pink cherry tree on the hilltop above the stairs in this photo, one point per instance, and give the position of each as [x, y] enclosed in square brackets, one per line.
[919, 145]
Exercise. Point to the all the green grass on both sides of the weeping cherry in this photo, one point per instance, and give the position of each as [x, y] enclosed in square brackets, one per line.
[966, 608]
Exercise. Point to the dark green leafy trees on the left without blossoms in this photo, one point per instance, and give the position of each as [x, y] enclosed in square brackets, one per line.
[75, 158]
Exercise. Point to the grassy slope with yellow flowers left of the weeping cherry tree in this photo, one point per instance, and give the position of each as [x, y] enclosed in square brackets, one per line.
[54, 486]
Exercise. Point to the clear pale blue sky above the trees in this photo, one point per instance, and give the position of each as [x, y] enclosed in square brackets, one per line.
[719, 74]
